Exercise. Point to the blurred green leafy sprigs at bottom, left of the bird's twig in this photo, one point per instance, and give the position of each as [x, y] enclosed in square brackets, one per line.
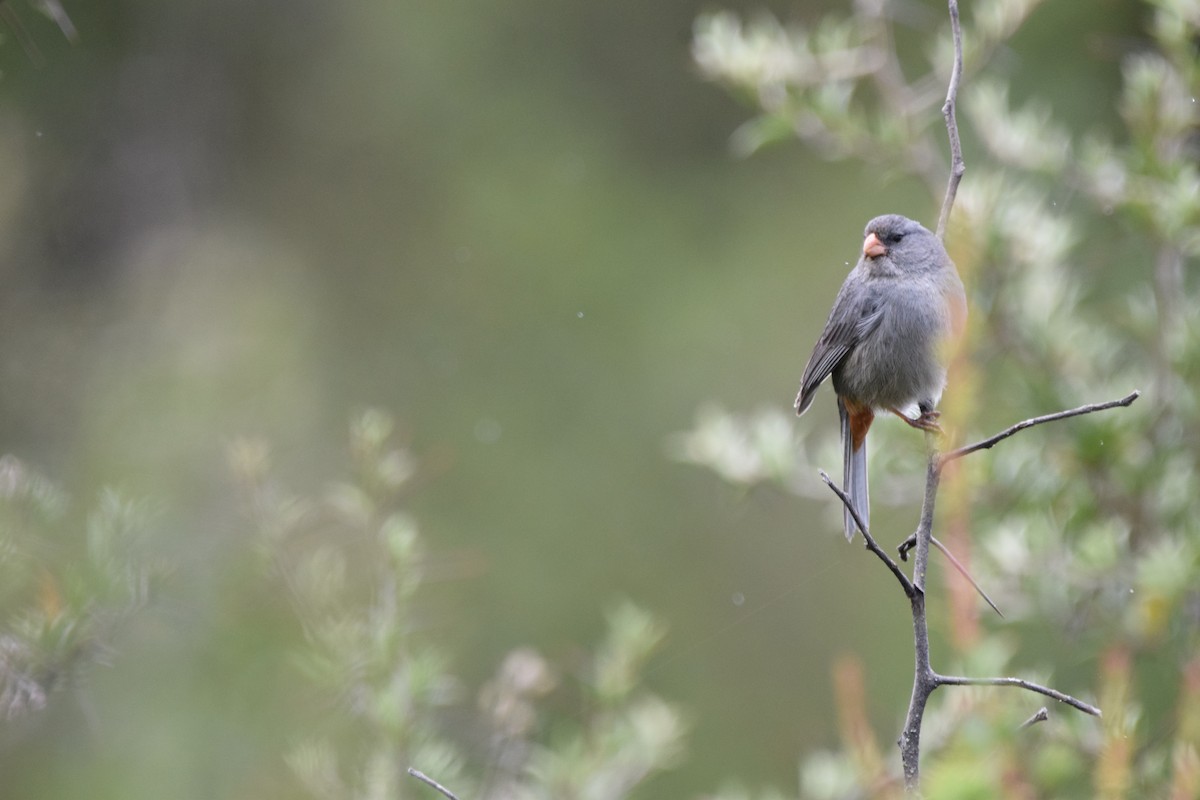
[369, 652]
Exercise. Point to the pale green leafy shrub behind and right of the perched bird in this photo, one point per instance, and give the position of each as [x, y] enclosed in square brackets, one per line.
[1088, 528]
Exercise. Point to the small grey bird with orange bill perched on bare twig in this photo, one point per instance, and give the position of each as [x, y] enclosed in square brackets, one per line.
[884, 344]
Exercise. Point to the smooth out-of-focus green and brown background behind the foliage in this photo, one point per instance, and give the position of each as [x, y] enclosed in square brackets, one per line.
[518, 227]
